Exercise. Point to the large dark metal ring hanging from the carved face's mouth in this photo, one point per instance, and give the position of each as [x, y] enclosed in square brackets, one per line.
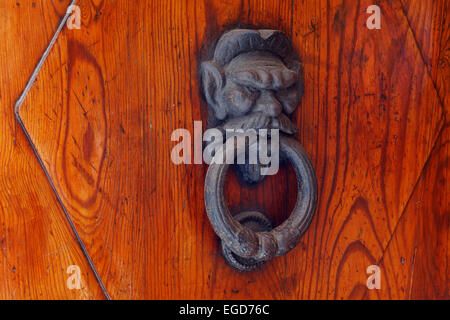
[262, 246]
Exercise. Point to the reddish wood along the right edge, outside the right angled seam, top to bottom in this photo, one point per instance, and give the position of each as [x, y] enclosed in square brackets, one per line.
[420, 241]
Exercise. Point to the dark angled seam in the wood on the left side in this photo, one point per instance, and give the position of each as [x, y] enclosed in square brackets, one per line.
[16, 112]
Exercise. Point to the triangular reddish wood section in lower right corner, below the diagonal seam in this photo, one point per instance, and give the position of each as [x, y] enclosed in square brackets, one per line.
[415, 263]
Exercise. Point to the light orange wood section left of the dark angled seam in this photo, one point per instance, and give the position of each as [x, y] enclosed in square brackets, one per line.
[37, 244]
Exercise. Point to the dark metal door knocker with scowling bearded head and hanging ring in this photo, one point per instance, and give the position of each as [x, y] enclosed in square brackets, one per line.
[251, 85]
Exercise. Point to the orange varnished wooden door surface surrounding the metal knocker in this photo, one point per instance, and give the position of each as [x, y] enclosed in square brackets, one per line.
[373, 119]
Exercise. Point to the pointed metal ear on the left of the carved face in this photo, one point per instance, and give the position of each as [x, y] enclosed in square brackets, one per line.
[213, 80]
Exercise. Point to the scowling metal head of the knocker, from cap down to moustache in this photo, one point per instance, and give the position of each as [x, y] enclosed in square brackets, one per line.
[253, 82]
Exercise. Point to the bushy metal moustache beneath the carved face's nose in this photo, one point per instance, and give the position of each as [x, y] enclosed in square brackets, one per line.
[258, 121]
